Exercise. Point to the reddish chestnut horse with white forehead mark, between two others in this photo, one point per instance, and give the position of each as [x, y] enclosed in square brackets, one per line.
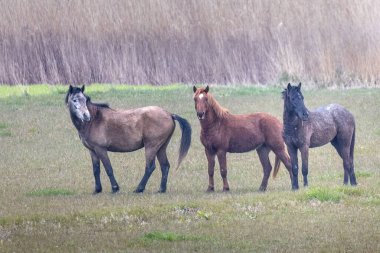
[224, 132]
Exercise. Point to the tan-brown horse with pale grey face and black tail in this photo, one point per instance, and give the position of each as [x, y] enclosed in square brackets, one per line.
[103, 129]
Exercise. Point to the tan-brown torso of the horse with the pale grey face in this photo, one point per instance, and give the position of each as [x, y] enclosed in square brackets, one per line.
[129, 130]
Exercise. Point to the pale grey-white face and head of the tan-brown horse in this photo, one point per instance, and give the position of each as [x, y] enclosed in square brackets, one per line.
[76, 100]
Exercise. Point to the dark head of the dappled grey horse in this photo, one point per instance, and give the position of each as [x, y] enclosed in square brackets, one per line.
[294, 101]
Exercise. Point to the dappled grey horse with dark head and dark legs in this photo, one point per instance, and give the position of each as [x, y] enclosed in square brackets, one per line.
[304, 129]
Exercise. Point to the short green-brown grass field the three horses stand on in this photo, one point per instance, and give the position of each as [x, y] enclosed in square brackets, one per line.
[46, 182]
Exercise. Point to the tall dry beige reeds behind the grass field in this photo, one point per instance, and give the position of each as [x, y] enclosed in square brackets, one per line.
[223, 41]
